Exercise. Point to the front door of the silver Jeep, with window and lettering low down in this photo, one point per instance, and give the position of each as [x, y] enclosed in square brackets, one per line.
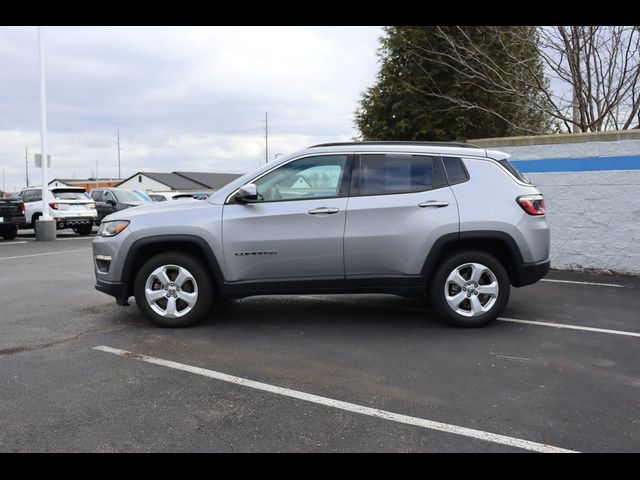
[294, 231]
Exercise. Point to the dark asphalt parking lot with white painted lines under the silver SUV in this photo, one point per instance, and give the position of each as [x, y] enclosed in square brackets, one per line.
[559, 371]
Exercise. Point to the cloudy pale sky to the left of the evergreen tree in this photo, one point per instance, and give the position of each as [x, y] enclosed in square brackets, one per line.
[183, 98]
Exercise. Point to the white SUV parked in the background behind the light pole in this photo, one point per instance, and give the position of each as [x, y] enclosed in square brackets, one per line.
[70, 207]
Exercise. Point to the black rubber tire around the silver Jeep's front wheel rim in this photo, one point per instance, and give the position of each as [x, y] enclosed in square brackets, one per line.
[205, 289]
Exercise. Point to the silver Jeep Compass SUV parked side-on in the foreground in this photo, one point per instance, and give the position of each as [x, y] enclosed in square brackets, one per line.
[452, 221]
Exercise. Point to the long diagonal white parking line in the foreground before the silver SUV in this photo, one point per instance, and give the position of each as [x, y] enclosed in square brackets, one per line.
[350, 407]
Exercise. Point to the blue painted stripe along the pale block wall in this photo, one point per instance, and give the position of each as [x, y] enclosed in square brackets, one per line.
[586, 164]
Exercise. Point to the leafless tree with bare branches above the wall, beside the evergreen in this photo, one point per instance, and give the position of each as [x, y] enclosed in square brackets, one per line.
[592, 80]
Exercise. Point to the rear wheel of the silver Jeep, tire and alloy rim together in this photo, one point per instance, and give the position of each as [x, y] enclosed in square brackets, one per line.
[470, 289]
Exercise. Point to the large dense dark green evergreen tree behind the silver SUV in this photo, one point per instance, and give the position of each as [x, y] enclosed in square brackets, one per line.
[426, 88]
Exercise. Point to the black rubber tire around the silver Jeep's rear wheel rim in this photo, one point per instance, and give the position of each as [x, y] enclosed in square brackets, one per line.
[439, 281]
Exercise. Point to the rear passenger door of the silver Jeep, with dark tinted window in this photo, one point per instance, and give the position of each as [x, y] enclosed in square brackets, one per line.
[400, 204]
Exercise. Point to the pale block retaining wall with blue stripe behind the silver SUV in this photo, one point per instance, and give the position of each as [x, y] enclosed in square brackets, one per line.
[591, 184]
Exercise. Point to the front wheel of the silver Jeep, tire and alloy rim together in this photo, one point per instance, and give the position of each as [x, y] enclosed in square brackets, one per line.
[173, 290]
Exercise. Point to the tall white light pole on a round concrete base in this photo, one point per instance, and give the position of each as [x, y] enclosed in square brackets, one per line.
[45, 226]
